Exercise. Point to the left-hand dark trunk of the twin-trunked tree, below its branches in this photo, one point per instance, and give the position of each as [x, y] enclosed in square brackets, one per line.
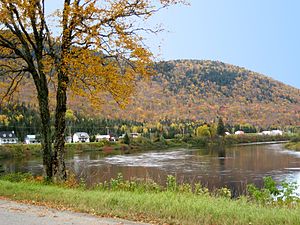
[43, 98]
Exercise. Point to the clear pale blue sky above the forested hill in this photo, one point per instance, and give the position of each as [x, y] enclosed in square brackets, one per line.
[260, 35]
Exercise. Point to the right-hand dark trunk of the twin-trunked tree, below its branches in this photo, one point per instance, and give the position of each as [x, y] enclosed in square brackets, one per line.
[60, 126]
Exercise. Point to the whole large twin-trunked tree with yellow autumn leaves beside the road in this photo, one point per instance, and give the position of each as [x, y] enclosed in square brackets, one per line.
[95, 46]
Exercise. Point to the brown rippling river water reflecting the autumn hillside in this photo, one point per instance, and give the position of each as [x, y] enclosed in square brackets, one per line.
[233, 167]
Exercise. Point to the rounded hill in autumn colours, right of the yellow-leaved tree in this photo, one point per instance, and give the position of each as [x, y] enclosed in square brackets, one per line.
[204, 90]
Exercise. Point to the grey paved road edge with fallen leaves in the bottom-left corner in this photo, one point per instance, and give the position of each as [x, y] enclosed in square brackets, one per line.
[14, 213]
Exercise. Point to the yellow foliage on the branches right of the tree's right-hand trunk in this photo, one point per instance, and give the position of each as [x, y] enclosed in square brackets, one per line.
[106, 52]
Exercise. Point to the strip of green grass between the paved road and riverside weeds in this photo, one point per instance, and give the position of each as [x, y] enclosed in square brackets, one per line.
[162, 207]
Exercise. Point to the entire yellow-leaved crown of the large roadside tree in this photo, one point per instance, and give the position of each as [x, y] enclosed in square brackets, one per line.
[98, 46]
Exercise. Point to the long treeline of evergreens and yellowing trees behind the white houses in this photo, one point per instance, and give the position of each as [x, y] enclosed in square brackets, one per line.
[24, 119]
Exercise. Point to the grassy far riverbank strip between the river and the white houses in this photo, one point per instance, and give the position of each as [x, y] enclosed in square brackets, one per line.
[140, 144]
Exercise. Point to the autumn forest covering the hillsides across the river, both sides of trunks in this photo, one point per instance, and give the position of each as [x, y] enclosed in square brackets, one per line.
[180, 91]
